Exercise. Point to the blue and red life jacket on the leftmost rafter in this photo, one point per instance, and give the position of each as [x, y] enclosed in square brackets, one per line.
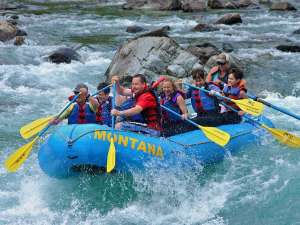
[81, 114]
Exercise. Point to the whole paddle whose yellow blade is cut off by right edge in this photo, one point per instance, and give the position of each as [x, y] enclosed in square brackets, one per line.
[282, 136]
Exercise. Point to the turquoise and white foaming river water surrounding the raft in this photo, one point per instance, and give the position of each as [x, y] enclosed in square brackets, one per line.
[260, 185]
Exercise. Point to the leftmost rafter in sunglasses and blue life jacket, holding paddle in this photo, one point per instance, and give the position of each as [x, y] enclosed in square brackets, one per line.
[83, 110]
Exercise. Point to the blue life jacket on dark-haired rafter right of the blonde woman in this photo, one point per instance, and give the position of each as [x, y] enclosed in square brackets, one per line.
[202, 101]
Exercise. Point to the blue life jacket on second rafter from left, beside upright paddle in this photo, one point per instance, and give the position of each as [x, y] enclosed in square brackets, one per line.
[103, 115]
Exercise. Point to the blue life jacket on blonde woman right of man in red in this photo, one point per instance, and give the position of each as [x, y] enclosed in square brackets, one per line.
[171, 104]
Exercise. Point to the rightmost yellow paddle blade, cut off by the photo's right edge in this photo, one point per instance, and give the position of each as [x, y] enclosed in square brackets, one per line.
[284, 137]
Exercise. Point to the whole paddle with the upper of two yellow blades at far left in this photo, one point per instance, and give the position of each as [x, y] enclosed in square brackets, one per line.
[33, 128]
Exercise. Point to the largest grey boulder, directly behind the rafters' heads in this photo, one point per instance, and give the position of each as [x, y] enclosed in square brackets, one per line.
[151, 56]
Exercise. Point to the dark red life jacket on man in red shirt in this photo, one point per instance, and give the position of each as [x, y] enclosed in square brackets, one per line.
[150, 115]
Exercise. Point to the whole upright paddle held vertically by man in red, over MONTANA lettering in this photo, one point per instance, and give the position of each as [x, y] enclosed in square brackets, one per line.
[111, 156]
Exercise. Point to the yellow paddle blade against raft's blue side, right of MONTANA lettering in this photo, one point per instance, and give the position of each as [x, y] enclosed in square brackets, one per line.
[216, 135]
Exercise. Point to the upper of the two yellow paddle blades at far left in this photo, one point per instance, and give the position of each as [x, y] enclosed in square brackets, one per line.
[34, 127]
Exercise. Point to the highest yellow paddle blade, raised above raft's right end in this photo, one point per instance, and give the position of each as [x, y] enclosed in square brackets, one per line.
[250, 106]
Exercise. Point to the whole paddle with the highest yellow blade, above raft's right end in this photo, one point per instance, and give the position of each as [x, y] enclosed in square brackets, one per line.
[247, 105]
